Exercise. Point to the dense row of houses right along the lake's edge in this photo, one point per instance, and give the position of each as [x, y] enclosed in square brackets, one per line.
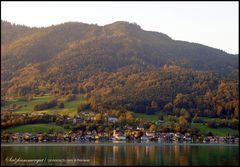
[115, 135]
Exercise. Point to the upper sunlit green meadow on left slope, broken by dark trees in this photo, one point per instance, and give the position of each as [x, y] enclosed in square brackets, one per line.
[70, 108]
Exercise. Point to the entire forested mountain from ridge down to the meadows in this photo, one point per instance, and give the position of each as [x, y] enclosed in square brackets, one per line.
[119, 64]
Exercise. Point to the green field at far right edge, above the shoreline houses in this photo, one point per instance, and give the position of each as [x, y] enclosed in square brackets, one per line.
[218, 131]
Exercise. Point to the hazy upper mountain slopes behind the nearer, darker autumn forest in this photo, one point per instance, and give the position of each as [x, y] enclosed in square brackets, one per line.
[117, 45]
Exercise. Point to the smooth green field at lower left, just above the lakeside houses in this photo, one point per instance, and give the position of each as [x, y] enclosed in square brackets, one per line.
[36, 128]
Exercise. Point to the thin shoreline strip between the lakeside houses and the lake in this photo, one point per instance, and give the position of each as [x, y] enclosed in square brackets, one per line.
[114, 144]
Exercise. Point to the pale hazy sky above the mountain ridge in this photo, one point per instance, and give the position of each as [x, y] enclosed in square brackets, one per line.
[210, 23]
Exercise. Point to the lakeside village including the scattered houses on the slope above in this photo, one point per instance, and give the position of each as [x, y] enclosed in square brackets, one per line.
[127, 133]
